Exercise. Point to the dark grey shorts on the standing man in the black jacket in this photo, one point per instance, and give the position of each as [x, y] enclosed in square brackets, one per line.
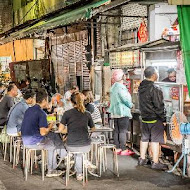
[153, 132]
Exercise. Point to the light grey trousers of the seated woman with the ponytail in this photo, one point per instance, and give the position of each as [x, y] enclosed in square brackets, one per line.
[78, 157]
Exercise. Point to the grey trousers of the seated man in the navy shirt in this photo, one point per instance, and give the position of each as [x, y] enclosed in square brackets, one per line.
[49, 145]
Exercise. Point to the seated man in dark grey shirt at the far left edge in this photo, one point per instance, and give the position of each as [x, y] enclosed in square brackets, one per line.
[7, 102]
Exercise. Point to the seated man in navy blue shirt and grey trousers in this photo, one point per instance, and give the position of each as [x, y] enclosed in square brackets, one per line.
[35, 129]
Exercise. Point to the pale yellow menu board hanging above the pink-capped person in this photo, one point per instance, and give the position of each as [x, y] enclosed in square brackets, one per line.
[125, 58]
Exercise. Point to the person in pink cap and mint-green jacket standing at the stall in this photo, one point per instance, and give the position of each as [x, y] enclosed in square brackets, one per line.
[120, 108]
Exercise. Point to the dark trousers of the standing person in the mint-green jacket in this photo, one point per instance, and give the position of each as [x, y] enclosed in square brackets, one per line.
[120, 132]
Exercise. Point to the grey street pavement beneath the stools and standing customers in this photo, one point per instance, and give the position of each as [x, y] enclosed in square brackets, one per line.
[132, 177]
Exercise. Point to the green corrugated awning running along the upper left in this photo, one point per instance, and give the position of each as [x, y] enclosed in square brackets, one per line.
[69, 17]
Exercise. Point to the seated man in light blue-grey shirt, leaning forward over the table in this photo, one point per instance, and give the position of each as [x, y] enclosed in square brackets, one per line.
[17, 112]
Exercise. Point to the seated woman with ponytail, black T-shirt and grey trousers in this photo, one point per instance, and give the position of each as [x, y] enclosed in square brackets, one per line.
[75, 122]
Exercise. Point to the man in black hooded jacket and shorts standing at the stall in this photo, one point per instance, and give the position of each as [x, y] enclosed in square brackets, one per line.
[153, 118]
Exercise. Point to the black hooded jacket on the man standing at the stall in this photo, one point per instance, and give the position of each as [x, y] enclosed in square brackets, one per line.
[151, 102]
